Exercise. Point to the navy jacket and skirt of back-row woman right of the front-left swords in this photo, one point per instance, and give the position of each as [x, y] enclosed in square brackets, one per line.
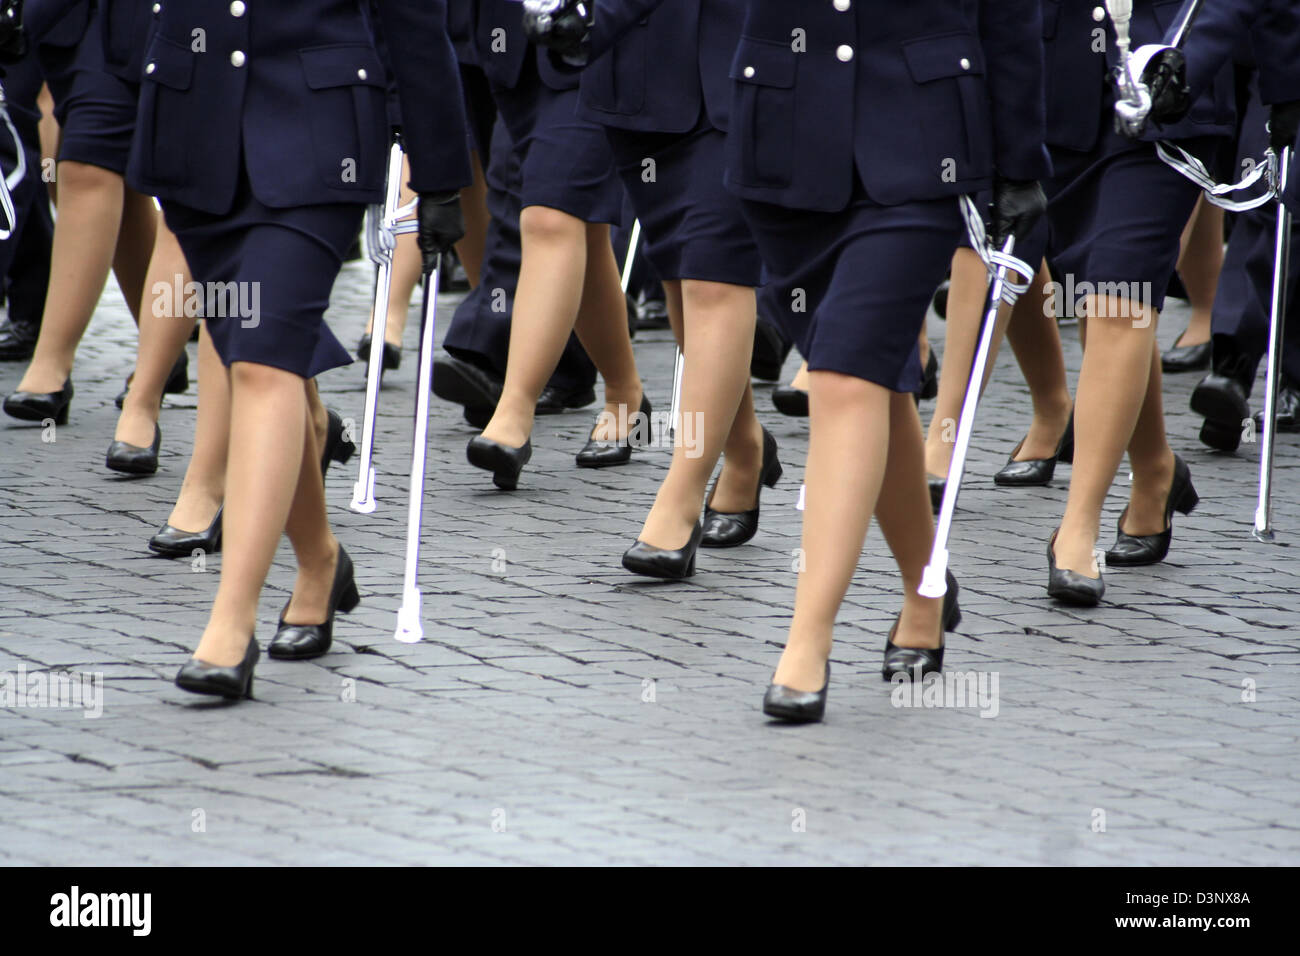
[565, 162]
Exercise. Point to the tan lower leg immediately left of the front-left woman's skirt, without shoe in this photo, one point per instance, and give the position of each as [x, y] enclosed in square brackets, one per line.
[164, 331]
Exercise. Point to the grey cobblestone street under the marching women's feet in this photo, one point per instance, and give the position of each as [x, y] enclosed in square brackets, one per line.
[561, 711]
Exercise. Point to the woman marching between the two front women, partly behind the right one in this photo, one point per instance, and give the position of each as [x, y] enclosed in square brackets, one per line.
[662, 93]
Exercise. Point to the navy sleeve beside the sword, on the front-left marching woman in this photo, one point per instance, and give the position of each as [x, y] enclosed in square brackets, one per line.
[428, 80]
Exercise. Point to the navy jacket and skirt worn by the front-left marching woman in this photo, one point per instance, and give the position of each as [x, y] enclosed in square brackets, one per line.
[265, 133]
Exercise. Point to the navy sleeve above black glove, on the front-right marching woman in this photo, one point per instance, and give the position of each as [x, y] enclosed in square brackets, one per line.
[1012, 37]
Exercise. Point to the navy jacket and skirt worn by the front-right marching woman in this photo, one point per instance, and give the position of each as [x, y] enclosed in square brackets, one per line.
[855, 126]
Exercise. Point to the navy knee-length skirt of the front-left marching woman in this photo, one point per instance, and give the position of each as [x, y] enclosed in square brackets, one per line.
[266, 278]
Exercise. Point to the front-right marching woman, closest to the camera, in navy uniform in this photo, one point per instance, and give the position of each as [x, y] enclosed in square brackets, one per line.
[855, 129]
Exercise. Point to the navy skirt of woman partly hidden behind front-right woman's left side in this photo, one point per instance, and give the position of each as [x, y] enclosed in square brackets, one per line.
[691, 227]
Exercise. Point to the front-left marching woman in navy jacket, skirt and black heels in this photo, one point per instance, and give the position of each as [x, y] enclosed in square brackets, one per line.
[265, 152]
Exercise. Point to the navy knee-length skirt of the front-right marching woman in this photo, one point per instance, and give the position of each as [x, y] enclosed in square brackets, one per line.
[851, 288]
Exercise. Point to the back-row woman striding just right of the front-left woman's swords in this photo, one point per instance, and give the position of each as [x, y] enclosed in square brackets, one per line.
[569, 280]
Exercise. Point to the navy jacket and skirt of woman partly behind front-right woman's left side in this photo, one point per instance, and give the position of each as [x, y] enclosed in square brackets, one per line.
[662, 93]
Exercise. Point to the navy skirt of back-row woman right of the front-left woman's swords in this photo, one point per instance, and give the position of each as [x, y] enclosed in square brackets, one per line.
[565, 163]
